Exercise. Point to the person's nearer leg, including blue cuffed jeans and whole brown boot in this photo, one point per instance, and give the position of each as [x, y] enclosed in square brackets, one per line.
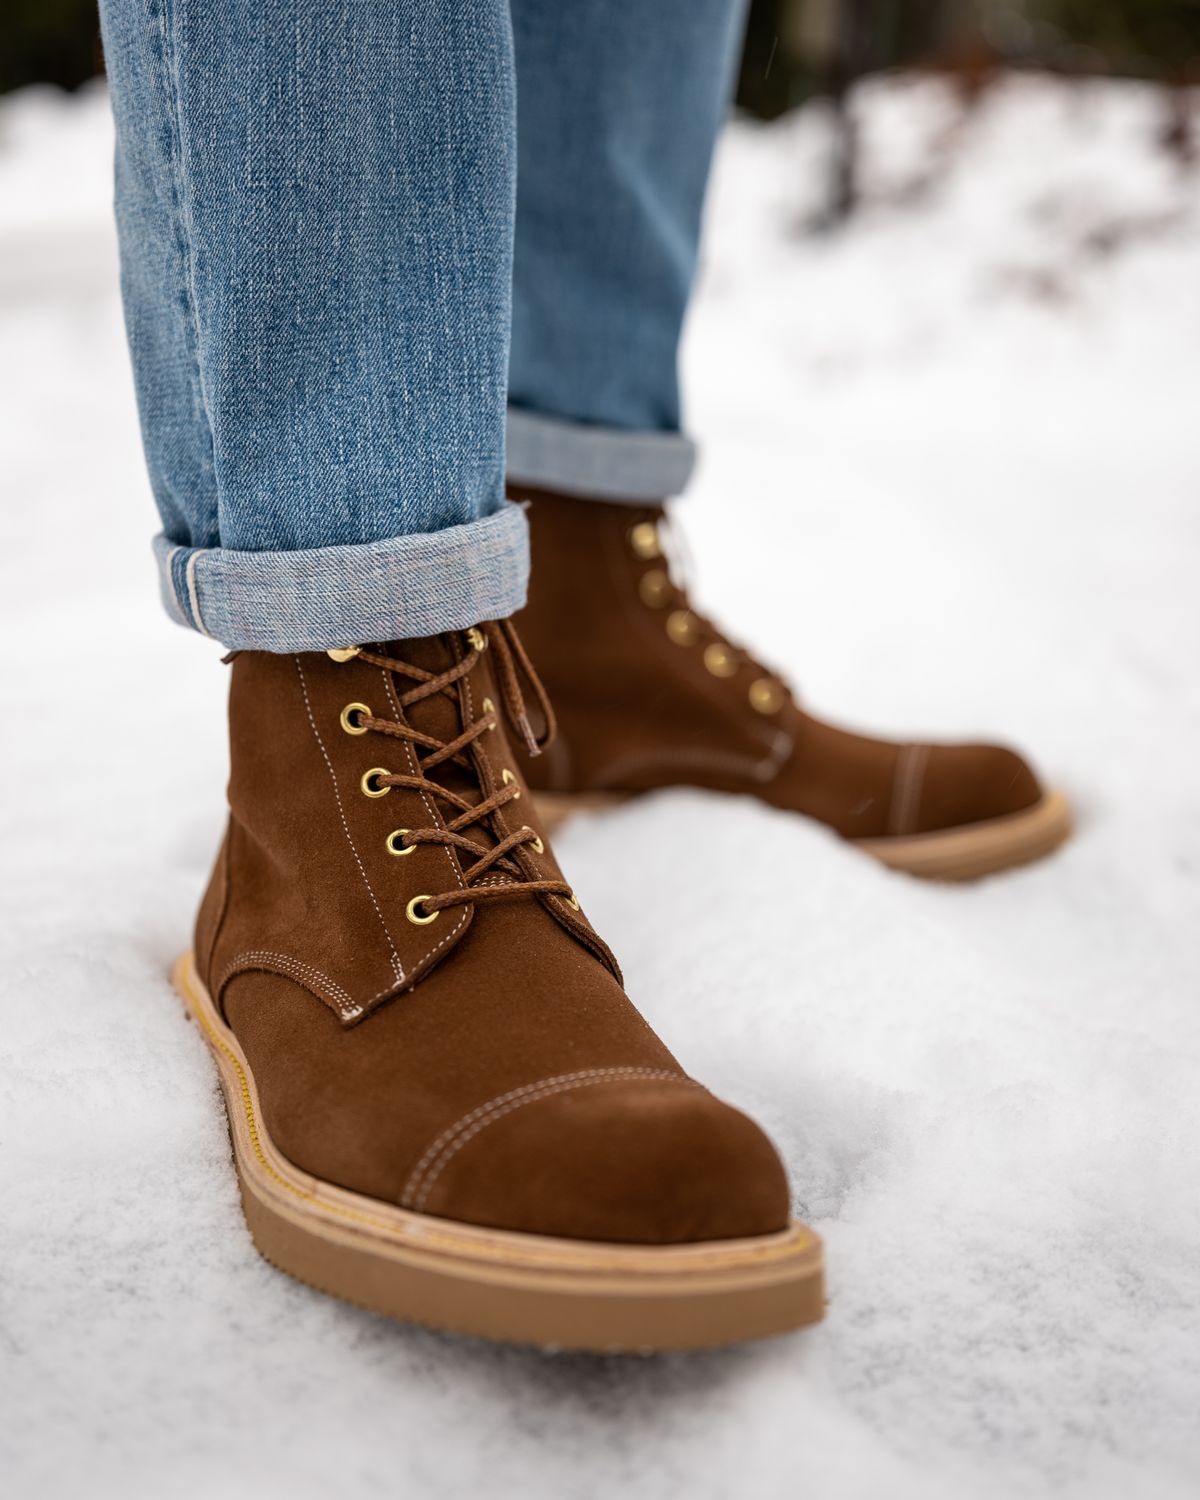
[443, 1103]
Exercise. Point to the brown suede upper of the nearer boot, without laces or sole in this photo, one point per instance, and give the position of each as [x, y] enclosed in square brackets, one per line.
[487, 1067]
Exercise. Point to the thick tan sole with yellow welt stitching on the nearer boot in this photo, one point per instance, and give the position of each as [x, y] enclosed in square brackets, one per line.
[524, 1289]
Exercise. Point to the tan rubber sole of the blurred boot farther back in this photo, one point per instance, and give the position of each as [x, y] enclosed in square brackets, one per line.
[952, 854]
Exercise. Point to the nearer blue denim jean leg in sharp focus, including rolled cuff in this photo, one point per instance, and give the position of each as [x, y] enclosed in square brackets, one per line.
[316, 208]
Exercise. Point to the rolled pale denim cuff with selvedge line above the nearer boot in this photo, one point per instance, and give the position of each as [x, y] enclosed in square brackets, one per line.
[344, 596]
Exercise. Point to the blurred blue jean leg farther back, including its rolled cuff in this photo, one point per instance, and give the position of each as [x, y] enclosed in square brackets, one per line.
[619, 109]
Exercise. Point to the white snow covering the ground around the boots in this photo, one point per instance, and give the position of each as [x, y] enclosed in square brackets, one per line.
[952, 485]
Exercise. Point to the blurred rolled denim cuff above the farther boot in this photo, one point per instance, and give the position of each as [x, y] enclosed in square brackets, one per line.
[607, 463]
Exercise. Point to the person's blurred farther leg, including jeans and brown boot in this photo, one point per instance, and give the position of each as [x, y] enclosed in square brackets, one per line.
[619, 109]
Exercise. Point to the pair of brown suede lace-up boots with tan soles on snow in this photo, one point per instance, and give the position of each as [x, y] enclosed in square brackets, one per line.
[442, 1102]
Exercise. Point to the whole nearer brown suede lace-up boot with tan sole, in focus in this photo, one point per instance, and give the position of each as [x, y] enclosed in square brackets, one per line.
[443, 1105]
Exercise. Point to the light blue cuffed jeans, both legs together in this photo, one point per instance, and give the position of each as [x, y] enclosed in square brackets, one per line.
[343, 263]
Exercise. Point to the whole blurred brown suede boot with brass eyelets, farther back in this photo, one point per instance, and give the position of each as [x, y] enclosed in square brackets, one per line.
[649, 695]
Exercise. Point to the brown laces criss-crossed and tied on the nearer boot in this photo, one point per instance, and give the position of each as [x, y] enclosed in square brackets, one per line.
[431, 752]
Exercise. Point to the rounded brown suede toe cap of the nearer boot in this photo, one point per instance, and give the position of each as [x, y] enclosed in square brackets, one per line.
[619, 1160]
